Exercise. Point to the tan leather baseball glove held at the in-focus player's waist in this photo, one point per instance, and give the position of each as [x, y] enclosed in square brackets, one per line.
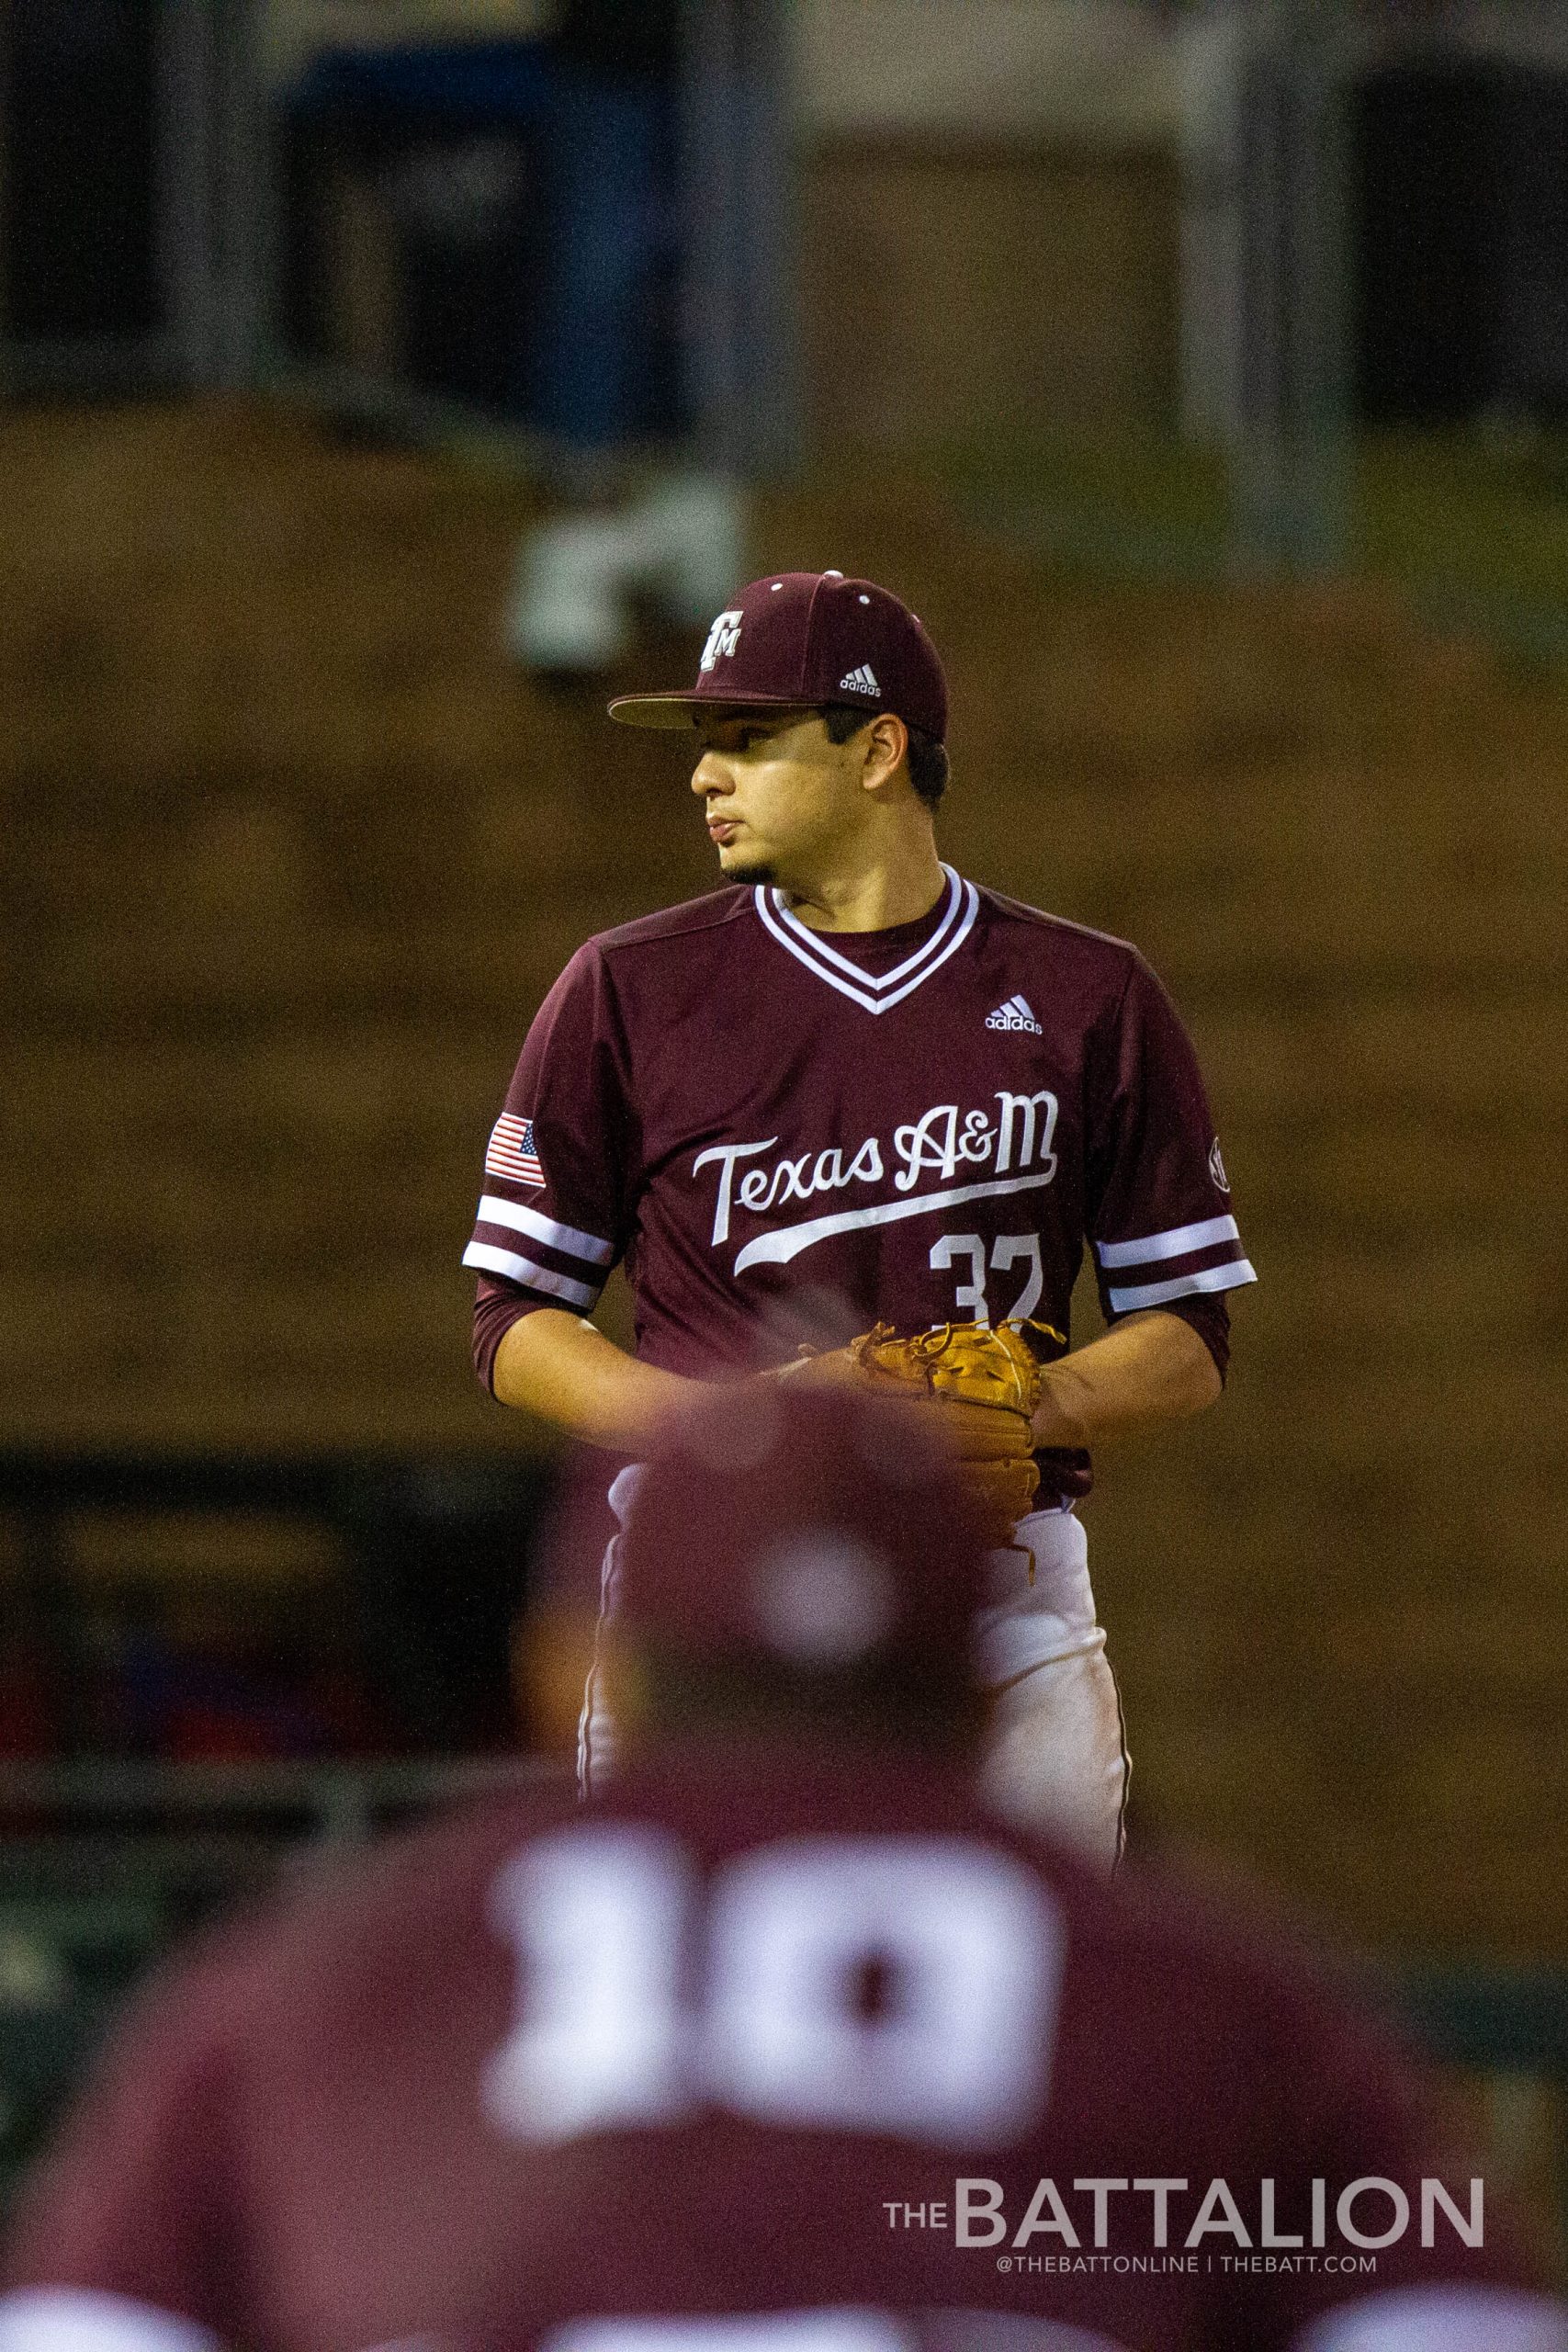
[986, 1384]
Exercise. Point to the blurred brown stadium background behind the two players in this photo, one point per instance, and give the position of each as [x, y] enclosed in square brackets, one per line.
[1202, 377]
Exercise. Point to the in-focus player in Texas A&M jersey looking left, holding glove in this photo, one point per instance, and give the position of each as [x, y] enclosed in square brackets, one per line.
[855, 1090]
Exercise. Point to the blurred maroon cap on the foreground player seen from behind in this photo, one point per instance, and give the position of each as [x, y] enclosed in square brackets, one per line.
[808, 1528]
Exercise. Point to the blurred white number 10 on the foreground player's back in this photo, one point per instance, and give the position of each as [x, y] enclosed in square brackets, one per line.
[650, 1991]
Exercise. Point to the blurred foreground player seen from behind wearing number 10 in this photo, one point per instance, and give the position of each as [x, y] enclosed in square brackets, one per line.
[676, 2073]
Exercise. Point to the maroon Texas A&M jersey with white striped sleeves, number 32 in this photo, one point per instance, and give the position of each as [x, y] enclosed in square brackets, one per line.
[791, 1135]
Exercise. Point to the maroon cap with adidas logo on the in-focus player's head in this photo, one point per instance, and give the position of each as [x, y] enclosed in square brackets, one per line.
[803, 641]
